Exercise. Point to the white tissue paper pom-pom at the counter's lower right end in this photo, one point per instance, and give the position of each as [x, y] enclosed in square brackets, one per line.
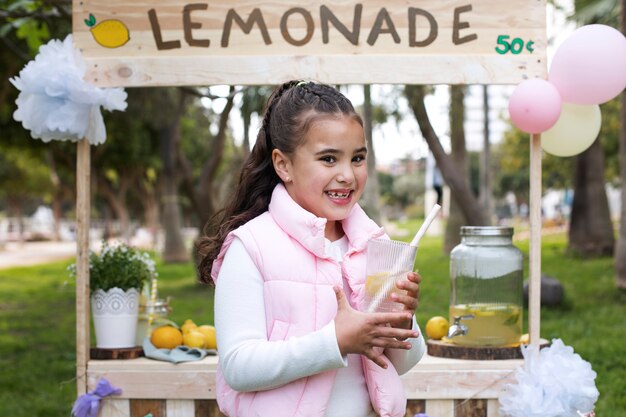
[555, 382]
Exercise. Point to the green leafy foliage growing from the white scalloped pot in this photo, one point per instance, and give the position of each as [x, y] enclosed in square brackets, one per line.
[118, 266]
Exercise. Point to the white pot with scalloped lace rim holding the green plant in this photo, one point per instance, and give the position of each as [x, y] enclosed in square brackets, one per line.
[114, 315]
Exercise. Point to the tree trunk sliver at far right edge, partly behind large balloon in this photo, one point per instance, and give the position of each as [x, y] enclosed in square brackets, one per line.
[620, 248]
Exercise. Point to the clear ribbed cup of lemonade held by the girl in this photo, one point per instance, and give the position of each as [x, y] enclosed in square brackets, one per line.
[387, 262]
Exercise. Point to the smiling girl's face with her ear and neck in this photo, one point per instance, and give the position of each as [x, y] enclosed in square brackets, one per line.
[326, 174]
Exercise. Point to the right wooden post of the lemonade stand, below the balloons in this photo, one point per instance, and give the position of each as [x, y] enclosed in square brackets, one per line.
[534, 281]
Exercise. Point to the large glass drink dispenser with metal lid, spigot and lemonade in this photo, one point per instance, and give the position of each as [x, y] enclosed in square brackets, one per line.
[486, 293]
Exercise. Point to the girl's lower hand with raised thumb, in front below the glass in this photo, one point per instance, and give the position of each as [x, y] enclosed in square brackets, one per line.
[359, 332]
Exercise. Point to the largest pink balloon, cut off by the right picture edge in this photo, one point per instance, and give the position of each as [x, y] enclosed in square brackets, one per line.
[590, 66]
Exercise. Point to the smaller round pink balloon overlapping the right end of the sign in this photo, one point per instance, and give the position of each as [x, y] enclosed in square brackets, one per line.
[534, 106]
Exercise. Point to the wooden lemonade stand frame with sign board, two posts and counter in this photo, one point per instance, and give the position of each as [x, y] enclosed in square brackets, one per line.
[172, 42]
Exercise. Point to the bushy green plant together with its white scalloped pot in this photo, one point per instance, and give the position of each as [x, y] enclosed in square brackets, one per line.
[117, 276]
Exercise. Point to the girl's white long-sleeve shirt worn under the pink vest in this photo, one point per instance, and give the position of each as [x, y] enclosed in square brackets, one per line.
[250, 362]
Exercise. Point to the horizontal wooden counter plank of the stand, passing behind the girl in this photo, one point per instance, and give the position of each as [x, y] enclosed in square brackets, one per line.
[432, 378]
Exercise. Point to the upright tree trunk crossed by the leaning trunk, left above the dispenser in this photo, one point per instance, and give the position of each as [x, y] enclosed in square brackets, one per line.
[458, 154]
